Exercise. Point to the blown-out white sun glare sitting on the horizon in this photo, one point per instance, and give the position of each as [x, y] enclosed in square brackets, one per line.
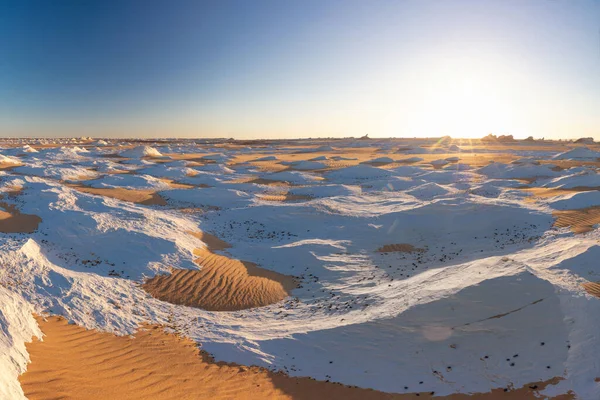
[465, 100]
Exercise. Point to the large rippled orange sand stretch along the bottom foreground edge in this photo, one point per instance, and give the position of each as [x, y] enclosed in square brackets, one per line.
[74, 363]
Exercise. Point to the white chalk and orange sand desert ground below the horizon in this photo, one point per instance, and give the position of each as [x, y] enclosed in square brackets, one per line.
[299, 269]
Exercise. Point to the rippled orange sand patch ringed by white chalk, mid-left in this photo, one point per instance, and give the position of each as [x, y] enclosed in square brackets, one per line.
[223, 284]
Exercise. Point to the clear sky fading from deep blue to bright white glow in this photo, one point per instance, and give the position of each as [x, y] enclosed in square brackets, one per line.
[300, 68]
